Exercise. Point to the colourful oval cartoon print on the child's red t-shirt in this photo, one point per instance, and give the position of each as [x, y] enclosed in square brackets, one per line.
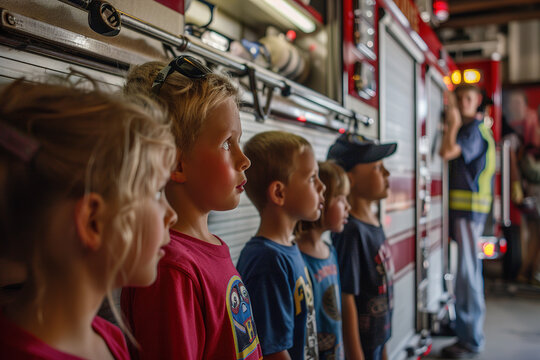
[240, 315]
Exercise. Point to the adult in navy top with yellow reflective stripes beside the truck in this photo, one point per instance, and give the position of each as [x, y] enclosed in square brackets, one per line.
[470, 147]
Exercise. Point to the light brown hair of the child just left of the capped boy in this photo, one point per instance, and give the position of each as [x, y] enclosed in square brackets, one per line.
[337, 183]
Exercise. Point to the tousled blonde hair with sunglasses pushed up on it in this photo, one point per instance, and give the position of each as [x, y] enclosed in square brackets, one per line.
[189, 101]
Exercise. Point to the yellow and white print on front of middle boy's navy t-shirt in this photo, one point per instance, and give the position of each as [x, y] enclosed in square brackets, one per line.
[303, 293]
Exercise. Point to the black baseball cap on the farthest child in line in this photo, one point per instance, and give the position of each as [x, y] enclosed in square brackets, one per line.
[351, 149]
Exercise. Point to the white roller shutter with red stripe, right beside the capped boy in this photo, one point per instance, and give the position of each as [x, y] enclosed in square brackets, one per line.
[398, 124]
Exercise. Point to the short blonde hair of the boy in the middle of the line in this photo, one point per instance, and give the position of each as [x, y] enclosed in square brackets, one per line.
[272, 156]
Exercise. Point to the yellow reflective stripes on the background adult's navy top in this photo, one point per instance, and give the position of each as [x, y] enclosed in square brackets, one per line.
[466, 200]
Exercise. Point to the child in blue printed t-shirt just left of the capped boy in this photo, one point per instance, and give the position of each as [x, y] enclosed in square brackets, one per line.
[321, 259]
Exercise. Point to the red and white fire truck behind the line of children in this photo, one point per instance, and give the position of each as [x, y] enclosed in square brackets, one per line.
[314, 68]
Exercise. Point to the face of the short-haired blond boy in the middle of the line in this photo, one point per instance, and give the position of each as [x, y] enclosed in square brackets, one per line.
[304, 192]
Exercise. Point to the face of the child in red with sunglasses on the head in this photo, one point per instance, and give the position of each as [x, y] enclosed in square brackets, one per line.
[216, 165]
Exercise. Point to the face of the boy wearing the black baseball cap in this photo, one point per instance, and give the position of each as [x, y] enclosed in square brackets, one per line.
[369, 181]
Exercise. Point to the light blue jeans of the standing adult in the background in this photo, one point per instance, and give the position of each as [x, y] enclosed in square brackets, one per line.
[470, 305]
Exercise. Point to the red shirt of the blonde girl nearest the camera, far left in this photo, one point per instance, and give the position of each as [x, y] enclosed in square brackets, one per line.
[16, 343]
